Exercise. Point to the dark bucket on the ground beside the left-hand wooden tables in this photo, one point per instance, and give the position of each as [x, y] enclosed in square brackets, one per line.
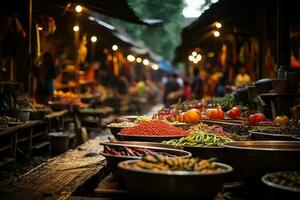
[59, 142]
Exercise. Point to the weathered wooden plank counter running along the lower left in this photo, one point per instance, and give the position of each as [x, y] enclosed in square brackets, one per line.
[59, 176]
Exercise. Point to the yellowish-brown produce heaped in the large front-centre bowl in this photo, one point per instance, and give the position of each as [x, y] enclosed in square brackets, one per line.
[163, 163]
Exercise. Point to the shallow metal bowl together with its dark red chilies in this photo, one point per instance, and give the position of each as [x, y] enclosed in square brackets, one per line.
[115, 153]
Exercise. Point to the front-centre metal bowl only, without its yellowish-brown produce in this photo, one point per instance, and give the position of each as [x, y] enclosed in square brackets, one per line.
[175, 184]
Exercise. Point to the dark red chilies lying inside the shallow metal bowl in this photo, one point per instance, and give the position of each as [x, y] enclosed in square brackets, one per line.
[132, 151]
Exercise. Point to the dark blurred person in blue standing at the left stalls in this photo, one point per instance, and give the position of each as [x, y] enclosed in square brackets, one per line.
[43, 82]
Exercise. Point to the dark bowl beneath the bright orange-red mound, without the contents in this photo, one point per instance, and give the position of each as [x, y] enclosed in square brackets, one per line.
[146, 138]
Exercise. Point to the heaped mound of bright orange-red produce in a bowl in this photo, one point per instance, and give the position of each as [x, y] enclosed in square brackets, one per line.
[154, 128]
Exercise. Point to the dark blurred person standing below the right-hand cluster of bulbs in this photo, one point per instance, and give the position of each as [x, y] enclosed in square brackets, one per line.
[197, 85]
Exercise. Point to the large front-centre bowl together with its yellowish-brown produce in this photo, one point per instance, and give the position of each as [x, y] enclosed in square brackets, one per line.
[174, 178]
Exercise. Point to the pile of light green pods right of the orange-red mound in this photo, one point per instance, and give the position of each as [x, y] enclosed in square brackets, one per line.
[200, 139]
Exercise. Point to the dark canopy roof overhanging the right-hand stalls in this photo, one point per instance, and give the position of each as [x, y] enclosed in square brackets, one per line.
[238, 17]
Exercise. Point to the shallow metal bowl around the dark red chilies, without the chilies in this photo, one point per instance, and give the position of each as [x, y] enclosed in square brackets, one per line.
[113, 160]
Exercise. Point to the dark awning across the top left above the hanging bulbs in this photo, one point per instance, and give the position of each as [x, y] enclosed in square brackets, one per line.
[113, 8]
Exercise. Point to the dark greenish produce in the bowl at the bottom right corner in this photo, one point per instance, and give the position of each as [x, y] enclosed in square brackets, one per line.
[289, 179]
